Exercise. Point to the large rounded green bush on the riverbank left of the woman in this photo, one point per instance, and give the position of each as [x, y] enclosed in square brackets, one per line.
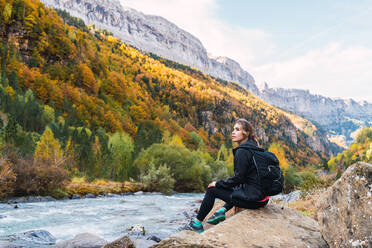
[189, 170]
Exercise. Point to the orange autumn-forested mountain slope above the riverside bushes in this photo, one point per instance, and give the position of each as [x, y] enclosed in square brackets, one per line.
[91, 90]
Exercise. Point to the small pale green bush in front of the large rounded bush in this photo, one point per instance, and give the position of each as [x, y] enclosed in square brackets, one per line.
[159, 179]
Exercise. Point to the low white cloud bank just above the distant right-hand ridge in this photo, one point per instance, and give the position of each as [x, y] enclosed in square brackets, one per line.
[334, 71]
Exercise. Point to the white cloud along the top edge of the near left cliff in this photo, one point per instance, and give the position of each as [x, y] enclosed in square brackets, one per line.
[199, 18]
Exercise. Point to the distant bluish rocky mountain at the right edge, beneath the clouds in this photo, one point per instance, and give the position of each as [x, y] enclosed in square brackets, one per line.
[340, 118]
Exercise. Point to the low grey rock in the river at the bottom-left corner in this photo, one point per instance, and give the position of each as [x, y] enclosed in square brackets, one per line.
[32, 238]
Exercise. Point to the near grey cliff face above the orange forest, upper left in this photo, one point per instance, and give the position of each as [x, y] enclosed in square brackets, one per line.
[154, 34]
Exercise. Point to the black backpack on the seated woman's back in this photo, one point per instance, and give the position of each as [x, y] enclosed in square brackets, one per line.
[270, 176]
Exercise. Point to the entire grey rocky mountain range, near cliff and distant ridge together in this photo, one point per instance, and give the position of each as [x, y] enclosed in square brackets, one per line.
[339, 118]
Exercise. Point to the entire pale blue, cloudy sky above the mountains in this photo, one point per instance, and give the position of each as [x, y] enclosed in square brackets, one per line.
[324, 46]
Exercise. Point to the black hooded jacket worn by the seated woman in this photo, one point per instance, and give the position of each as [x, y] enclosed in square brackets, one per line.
[244, 182]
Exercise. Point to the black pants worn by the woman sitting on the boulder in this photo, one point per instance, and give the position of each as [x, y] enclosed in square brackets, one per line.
[225, 195]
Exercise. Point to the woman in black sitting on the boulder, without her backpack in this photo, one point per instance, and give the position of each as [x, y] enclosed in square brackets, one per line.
[243, 183]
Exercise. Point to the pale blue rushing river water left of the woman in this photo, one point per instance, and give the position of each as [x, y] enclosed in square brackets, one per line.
[106, 217]
